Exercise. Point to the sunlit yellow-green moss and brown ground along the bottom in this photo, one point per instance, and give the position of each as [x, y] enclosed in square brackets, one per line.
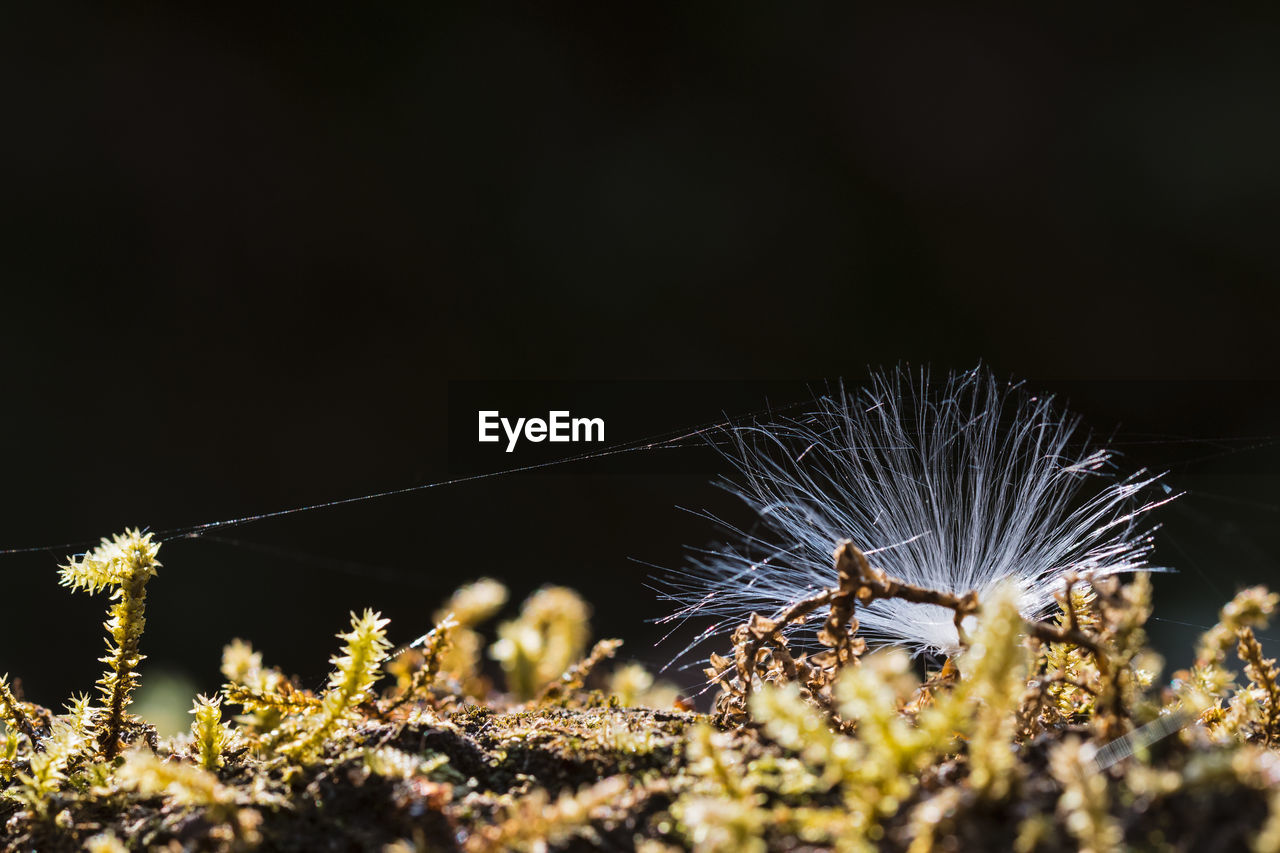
[1034, 738]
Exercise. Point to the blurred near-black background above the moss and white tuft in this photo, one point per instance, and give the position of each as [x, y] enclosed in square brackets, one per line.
[245, 254]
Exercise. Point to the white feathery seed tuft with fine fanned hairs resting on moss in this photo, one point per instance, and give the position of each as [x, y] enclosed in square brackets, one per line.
[956, 486]
